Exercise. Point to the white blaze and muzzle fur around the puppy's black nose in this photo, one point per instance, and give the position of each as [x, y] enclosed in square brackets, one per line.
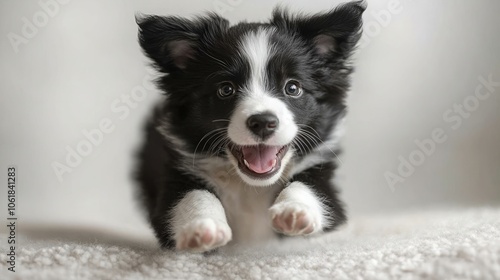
[256, 48]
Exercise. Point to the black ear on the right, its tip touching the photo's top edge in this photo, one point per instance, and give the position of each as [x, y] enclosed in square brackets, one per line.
[334, 32]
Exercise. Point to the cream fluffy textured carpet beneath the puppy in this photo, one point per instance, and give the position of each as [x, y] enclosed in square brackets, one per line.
[459, 244]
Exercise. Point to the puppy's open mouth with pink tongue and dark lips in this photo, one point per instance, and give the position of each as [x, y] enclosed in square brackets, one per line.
[259, 161]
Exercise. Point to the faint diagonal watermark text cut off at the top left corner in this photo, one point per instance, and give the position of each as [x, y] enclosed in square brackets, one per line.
[31, 27]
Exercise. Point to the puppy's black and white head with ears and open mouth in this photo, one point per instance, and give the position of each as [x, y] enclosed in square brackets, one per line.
[260, 95]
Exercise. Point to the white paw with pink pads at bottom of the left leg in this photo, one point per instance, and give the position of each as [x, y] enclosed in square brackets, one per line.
[203, 235]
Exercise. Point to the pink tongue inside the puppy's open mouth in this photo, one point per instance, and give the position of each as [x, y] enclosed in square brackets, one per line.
[260, 158]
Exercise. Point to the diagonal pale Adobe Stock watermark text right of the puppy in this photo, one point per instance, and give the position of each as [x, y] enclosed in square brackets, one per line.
[454, 118]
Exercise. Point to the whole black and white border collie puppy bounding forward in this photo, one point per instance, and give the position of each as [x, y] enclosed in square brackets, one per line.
[244, 146]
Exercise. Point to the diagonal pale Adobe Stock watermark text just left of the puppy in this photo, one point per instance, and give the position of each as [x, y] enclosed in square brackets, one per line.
[121, 108]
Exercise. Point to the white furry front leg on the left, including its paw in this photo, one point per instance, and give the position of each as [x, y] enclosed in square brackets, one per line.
[199, 222]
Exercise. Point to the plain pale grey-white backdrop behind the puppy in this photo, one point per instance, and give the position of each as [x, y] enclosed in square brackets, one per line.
[412, 68]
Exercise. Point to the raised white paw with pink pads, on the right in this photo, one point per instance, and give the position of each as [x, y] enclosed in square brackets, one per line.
[294, 218]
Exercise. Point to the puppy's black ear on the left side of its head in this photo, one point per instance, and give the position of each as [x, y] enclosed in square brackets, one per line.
[173, 42]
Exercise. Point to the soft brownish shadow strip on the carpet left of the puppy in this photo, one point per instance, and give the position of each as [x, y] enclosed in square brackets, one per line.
[86, 235]
